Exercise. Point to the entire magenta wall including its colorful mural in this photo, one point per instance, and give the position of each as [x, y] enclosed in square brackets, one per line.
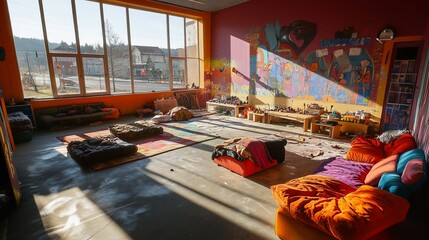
[347, 74]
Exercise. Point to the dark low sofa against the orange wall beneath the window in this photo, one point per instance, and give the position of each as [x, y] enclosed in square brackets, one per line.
[74, 114]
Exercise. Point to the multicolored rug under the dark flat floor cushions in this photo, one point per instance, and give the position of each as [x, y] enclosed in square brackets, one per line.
[176, 135]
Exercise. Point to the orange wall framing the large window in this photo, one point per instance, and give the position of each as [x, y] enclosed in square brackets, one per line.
[9, 72]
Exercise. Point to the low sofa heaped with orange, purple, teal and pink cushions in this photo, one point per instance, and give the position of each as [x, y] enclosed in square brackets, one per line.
[354, 197]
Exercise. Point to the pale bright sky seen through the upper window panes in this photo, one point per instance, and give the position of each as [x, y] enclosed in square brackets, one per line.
[147, 28]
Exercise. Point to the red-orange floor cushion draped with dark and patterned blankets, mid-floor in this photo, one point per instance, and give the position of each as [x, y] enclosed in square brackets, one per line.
[247, 156]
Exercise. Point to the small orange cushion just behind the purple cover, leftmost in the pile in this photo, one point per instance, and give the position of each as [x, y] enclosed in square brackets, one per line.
[366, 150]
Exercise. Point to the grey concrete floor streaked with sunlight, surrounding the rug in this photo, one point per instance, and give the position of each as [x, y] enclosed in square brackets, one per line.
[180, 194]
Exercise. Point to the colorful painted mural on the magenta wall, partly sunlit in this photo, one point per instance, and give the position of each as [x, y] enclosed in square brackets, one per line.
[341, 71]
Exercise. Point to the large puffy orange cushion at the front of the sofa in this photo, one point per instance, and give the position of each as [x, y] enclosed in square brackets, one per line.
[334, 208]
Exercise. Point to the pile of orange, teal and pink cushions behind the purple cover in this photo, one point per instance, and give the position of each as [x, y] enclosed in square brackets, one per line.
[398, 166]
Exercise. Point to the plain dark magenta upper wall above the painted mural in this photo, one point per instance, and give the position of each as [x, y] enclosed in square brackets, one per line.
[366, 16]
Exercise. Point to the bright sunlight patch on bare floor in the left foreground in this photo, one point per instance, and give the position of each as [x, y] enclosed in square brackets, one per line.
[70, 214]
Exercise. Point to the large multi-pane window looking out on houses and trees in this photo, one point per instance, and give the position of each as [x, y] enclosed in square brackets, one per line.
[79, 48]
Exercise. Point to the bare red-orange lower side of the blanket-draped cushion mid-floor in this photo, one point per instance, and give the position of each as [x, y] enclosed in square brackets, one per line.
[244, 168]
